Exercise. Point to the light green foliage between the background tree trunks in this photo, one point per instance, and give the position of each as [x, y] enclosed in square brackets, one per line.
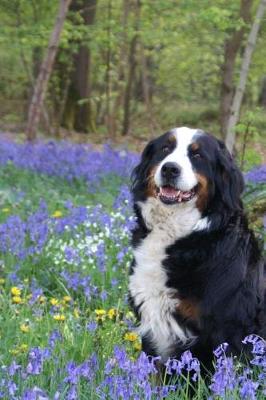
[182, 42]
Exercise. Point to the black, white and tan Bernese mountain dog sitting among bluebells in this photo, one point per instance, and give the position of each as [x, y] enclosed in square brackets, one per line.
[197, 276]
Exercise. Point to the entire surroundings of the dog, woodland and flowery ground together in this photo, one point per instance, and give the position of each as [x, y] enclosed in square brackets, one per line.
[106, 76]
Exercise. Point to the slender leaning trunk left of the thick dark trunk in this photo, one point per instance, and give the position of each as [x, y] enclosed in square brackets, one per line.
[45, 72]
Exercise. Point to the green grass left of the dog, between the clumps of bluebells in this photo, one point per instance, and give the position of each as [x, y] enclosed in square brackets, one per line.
[78, 342]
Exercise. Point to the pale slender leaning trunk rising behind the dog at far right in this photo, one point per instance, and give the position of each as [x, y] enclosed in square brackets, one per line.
[237, 101]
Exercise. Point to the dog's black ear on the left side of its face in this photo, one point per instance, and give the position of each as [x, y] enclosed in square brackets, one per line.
[140, 172]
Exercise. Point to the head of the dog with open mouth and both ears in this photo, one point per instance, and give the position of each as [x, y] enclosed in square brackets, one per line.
[185, 166]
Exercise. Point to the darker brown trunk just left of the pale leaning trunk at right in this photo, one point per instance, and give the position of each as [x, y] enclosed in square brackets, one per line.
[231, 49]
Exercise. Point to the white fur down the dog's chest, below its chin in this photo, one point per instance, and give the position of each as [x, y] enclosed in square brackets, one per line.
[147, 284]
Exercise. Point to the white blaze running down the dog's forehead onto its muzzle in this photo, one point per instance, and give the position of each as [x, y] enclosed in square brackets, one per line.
[187, 179]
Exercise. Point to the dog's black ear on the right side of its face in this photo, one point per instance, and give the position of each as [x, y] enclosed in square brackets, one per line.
[229, 179]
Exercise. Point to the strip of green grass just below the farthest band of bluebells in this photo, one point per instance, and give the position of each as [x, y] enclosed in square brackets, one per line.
[22, 190]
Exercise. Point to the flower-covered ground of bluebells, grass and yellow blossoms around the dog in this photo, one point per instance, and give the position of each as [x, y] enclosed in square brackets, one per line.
[66, 329]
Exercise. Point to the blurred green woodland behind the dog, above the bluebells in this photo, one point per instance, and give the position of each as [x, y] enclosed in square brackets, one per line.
[126, 70]
